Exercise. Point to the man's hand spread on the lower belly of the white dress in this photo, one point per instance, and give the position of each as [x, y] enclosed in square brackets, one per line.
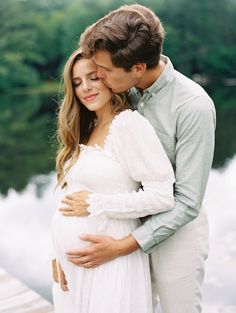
[103, 249]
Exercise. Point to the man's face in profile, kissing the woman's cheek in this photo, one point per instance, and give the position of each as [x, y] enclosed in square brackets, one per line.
[115, 78]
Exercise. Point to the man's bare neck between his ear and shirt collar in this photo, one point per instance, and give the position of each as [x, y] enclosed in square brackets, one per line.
[150, 76]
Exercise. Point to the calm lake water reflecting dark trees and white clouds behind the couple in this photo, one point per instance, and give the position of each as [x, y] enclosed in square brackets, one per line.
[27, 180]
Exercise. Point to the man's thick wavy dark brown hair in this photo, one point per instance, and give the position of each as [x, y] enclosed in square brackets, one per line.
[131, 34]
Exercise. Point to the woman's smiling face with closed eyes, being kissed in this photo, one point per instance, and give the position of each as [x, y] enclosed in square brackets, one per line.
[88, 87]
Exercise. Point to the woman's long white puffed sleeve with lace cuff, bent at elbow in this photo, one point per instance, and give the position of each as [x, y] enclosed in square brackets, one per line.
[137, 148]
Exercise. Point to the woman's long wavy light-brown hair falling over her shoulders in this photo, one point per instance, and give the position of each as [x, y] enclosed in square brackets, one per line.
[75, 122]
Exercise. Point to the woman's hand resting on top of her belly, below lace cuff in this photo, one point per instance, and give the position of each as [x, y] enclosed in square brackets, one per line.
[76, 204]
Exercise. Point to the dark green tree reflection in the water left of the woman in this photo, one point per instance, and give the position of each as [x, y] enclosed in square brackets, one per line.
[27, 129]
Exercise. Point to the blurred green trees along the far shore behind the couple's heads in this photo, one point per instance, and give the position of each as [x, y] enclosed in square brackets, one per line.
[39, 35]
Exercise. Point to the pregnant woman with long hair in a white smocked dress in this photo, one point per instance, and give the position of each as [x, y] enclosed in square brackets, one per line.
[113, 156]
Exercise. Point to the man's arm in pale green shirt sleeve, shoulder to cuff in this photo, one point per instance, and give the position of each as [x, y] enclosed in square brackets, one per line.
[194, 154]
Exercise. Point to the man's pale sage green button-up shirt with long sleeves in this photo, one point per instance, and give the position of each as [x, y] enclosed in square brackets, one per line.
[183, 116]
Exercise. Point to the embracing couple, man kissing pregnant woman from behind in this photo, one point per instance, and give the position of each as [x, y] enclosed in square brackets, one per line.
[136, 147]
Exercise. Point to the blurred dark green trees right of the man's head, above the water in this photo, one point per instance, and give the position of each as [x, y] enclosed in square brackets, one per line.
[201, 36]
